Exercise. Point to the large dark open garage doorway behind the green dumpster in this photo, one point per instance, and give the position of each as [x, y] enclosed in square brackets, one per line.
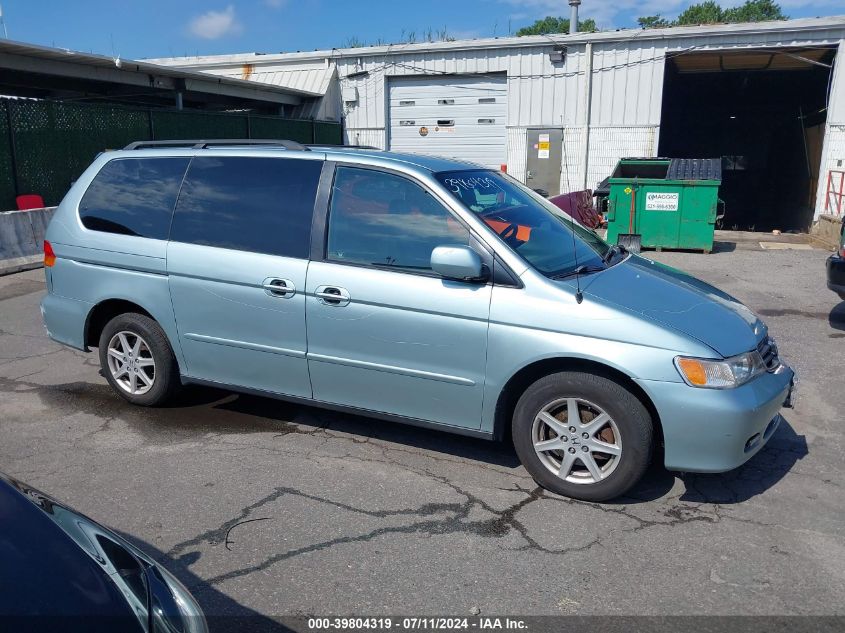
[763, 112]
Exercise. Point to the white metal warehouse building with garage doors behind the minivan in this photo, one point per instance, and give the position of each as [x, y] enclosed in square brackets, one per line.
[559, 111]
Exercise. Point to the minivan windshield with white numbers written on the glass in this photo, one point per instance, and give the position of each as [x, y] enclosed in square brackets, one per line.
[533, 227]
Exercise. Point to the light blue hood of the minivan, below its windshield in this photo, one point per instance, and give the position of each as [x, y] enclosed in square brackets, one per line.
[677, 300]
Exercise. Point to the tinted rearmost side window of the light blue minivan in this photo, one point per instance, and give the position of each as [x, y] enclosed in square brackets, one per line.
[133, 196]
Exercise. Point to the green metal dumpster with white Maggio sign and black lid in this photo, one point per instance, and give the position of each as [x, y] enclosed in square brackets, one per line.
[670, 202]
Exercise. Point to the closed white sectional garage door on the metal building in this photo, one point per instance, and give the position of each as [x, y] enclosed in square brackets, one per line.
[456, 117]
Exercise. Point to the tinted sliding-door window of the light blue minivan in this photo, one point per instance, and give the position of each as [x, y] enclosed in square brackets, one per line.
[261, 205]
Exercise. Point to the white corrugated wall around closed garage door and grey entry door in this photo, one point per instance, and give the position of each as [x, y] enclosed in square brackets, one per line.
[626, 97]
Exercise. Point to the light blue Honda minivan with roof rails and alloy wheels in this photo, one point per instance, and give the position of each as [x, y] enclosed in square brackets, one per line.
[410, 288]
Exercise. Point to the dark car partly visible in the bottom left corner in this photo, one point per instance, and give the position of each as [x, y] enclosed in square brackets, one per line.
[62, 571]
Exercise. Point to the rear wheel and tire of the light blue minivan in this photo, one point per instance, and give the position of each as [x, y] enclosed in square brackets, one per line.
[150, 376]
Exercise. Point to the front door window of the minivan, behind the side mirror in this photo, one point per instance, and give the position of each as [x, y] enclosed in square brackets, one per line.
[382, 219]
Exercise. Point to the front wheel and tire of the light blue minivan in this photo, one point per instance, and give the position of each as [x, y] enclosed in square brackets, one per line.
[618, 442]
